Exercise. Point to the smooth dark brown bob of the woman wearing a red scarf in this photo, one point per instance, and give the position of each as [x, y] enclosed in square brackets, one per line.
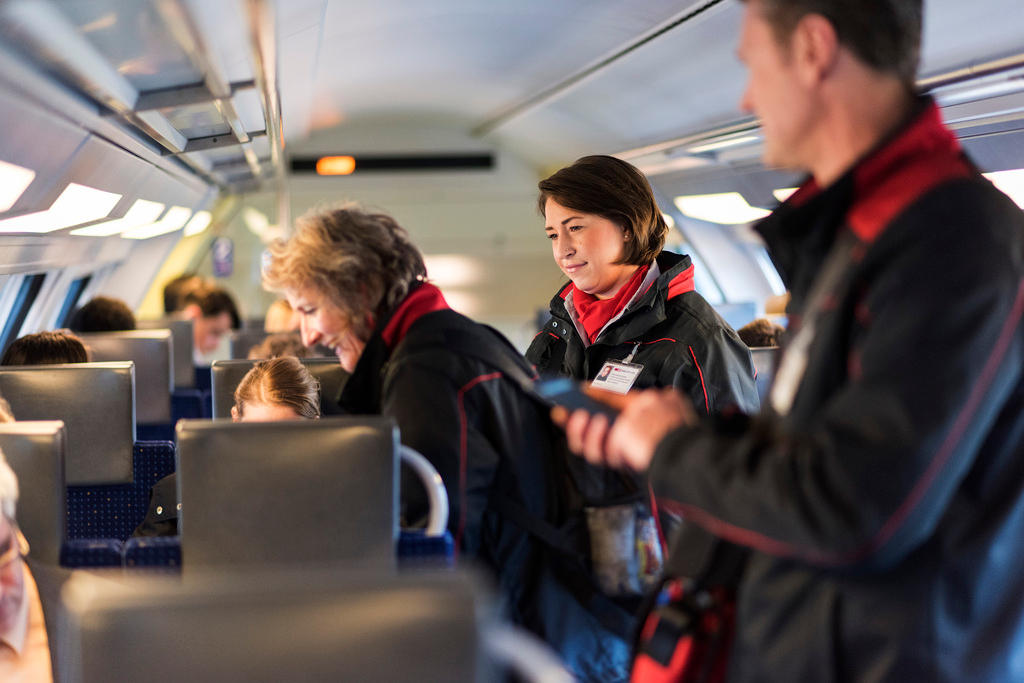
[615, 190]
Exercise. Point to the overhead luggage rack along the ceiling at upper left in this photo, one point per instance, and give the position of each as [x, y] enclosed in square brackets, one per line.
[156, 71]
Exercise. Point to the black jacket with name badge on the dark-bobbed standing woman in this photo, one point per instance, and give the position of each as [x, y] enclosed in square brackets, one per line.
[682, 344]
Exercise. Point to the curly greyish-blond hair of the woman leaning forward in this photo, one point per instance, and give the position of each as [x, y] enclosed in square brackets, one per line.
[363, 262]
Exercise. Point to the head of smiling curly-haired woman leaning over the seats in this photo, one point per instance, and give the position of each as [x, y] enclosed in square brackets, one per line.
[343, 271]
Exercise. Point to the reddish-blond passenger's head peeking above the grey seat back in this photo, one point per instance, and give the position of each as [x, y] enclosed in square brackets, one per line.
[277, 390]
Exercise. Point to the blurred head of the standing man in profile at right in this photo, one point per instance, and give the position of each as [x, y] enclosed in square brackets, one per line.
[804, 57]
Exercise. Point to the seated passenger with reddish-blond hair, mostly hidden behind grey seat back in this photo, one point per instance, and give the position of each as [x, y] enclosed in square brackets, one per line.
[274, 391]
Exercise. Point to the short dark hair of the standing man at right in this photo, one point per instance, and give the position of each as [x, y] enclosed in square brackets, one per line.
[884, 34]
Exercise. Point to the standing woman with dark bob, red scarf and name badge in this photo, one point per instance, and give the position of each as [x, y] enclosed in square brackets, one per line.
[630, 315]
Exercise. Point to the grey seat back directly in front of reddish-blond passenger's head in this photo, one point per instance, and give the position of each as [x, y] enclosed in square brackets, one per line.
[288, 493]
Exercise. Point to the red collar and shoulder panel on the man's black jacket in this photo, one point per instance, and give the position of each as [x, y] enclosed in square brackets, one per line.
[925, 155]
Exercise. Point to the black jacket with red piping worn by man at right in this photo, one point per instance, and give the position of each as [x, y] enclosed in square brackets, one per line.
[882, 491]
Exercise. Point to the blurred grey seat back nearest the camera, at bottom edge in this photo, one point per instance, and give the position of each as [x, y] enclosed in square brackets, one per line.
[296, 626]
